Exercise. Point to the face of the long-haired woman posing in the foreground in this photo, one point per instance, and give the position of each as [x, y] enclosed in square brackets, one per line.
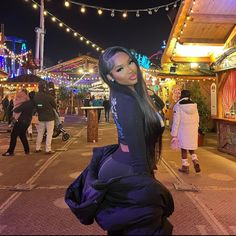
[124, 70]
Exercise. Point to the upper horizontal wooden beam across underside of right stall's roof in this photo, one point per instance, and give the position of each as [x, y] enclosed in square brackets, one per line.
[213, 18]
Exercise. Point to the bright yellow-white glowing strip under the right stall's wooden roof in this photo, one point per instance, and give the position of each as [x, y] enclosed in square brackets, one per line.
[197, 51]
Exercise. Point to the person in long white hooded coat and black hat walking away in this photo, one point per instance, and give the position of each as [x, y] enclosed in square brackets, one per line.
[185, 130]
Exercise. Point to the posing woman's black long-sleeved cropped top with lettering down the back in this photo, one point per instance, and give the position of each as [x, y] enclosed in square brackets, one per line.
[129, 121]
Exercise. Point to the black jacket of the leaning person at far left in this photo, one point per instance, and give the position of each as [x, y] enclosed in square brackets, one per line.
[27, 109]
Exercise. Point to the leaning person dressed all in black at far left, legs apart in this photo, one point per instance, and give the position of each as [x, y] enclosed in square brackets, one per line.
[26, 110]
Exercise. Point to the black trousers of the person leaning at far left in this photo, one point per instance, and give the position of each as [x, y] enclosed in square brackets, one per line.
[19, 129]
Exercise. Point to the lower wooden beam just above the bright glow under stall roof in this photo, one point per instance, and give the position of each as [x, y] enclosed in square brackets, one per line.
[202, 41]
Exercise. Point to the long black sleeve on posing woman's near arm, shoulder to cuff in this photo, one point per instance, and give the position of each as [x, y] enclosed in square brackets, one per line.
[131, 121]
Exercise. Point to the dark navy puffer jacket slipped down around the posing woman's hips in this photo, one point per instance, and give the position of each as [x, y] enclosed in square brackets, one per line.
[135, 205]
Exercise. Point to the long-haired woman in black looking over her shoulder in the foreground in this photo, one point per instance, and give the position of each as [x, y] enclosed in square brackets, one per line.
[118, 188]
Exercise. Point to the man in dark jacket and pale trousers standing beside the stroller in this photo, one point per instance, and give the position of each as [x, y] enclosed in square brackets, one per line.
[45, 105]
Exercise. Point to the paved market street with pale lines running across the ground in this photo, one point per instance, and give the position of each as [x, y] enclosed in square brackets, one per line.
[32, 187]
